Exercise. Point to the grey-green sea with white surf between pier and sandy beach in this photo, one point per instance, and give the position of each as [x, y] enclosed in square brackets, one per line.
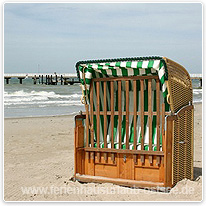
[29, 100]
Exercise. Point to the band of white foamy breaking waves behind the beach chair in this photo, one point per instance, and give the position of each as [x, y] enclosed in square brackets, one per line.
[50, 98]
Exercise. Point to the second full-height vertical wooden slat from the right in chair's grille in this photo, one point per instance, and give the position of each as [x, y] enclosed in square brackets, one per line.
[150, 112]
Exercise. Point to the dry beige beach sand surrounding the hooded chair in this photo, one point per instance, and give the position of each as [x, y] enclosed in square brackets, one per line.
[38, 152]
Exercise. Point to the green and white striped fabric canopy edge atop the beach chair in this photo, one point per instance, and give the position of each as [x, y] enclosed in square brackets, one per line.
[124, 67]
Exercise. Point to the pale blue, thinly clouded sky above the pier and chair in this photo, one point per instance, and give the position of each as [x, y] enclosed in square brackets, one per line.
[52, 37]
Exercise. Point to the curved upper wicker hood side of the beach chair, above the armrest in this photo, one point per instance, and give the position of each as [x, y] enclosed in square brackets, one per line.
[179, 86]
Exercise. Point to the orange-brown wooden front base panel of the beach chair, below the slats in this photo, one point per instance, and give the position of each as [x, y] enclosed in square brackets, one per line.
[93, 167]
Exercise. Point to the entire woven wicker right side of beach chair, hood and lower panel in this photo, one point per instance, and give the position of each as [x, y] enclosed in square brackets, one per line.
[180, 95]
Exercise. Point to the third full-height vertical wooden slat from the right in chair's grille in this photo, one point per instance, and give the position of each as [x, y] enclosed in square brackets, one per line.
[142, 112]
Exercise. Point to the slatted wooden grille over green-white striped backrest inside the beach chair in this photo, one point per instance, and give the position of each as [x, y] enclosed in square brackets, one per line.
[126, 113]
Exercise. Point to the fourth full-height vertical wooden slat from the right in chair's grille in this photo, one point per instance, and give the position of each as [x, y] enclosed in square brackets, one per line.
[135, 112]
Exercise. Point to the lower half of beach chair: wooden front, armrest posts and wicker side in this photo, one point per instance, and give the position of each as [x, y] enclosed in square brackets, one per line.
[138, 168]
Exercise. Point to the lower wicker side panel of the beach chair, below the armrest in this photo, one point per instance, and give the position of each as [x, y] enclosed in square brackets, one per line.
[183, 147]
